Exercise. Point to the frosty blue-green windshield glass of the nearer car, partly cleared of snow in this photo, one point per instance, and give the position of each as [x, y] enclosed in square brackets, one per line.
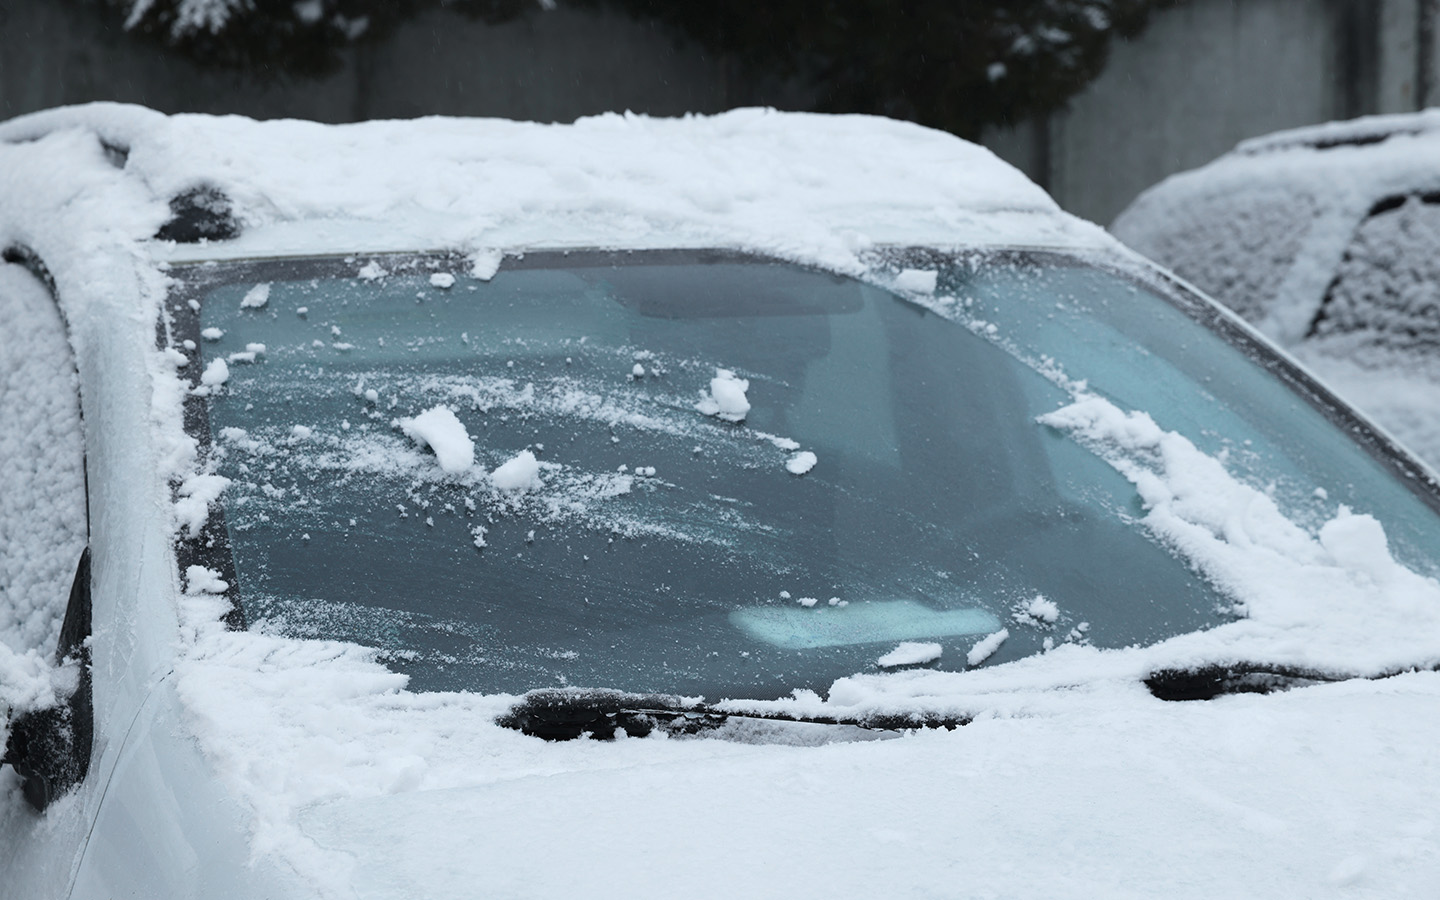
[711, 474]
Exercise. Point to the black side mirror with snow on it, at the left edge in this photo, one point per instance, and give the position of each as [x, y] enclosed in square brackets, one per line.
[51, 748]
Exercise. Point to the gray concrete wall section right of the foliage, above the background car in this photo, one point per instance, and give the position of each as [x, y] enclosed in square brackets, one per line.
[1213, 73]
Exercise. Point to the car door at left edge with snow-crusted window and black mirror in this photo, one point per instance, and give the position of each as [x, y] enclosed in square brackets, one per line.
[44, 587]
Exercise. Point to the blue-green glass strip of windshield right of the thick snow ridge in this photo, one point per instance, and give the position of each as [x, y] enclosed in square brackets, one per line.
[1151, 356]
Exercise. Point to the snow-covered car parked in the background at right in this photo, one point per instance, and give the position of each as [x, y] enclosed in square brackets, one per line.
[1326, 240]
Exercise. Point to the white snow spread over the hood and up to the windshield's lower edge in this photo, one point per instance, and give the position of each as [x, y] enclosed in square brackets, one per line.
[1321, 791]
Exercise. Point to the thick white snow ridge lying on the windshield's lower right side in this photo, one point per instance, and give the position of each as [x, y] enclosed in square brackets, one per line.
[1318, 595]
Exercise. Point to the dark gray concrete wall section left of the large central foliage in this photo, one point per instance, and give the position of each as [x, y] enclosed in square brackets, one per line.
[548, 67]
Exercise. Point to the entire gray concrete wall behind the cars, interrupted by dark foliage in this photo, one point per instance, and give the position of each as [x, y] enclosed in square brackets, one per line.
[1205, 77]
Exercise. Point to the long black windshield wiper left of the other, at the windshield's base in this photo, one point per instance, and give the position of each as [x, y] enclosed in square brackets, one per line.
[570, 714]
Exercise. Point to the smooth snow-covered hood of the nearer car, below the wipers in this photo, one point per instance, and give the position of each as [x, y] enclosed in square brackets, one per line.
[1111, 798]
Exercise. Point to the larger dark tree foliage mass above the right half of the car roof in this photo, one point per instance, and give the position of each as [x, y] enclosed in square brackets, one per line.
[950, 64]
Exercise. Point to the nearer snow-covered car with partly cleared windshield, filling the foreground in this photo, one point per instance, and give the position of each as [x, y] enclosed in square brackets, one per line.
[640, 508]
